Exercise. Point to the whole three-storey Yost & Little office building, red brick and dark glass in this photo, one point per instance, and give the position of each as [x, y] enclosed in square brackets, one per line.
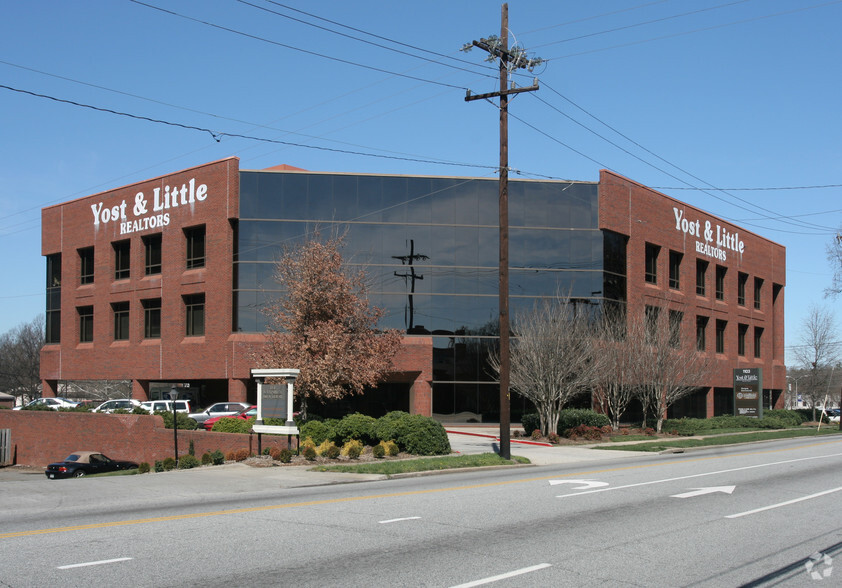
[162, 282]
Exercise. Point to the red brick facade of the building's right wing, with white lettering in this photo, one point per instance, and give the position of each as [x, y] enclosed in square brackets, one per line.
[648, 217]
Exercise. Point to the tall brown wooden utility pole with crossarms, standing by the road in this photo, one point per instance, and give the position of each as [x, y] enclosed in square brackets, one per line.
[498, 48]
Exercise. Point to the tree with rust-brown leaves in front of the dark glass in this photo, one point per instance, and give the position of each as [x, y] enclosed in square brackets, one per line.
[324, 326]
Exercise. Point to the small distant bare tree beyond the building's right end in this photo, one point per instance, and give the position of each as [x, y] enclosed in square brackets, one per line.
[818, 351]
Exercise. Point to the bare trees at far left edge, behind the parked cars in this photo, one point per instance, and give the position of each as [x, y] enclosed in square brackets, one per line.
[20, 359]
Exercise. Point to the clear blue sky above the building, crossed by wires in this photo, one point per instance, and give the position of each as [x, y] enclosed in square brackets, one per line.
[705, 93]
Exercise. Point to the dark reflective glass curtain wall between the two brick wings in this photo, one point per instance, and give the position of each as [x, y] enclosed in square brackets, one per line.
[430, 248]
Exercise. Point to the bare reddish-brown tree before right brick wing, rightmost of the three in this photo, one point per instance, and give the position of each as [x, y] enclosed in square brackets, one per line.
[669, 368]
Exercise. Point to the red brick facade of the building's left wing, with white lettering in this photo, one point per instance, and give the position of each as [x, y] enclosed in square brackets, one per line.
[207, 196]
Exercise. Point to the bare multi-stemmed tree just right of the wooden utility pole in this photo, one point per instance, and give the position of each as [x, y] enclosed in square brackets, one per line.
[551, 356]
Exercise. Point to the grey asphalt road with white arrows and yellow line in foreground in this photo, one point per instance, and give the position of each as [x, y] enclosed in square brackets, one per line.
[748, 515]
